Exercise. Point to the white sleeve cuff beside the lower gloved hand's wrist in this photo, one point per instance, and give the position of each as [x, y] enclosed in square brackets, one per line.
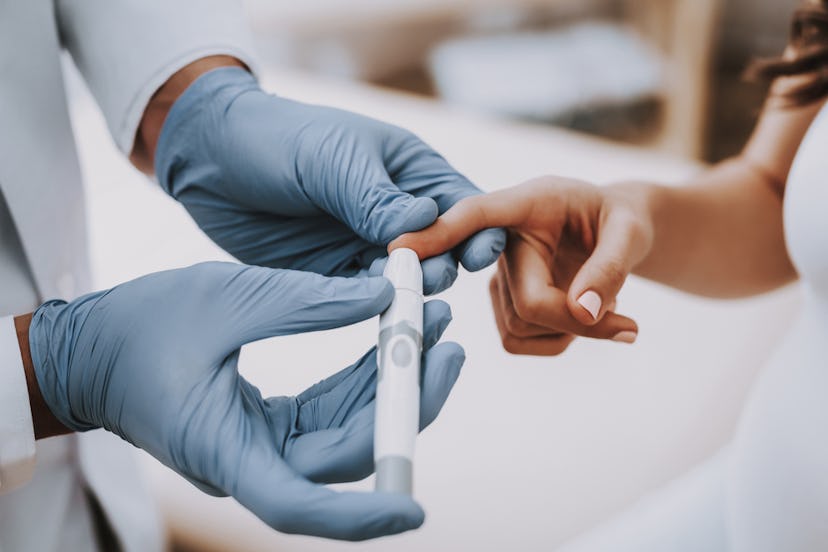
[17, 450]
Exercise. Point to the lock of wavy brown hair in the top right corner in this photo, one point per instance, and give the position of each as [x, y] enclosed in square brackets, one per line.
[807, 55]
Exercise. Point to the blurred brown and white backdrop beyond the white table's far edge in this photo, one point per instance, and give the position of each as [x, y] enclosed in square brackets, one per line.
[660, 73]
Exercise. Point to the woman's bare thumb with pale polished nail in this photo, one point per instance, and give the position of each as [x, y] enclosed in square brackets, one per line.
[621, 245]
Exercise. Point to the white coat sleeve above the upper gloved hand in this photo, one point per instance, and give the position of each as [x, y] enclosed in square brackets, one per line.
[126, 49]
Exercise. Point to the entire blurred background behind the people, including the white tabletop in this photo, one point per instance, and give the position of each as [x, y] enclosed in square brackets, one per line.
[529, 452]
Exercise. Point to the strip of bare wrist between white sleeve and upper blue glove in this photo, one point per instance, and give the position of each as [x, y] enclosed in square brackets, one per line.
[149, 130]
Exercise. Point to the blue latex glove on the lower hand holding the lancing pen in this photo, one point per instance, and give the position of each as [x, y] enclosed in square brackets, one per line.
[155, 361]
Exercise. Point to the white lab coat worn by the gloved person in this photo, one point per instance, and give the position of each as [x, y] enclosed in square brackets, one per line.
[125, 49]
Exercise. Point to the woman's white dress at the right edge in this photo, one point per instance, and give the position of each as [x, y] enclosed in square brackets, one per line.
[768, 490]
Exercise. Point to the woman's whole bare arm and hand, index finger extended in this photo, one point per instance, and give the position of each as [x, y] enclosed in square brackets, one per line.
[572, 244]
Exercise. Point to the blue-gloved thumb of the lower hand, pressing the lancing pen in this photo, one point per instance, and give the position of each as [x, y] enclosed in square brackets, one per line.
[260, 302]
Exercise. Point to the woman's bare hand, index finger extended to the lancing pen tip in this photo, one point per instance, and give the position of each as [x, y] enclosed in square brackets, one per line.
[571, 246]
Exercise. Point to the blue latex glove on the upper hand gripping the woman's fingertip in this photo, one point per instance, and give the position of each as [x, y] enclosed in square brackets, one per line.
[283, 184]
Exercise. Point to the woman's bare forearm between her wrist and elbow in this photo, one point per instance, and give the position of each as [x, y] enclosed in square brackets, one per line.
[720, 236]
